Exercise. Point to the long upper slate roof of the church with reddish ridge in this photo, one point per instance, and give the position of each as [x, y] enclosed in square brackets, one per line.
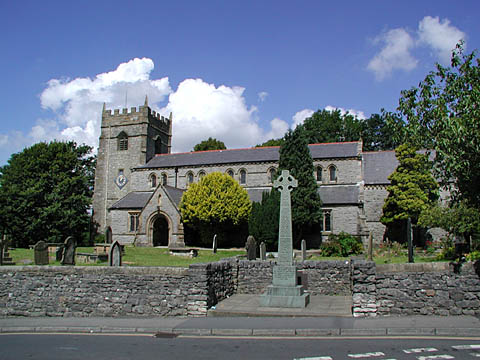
[265, 154]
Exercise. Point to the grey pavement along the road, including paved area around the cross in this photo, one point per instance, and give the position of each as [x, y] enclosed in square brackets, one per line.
[240, 315]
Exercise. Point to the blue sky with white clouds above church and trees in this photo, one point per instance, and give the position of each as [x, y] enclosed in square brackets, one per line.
[240, 71]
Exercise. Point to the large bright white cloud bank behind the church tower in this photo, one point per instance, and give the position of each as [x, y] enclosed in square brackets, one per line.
[200, 110]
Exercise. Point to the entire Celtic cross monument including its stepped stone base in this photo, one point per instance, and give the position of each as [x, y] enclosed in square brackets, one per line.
[285, 291]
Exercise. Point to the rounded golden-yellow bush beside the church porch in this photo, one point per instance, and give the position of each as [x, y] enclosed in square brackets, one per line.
[215, 205]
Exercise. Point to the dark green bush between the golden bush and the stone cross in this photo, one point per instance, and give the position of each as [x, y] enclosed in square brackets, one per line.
[264, 218]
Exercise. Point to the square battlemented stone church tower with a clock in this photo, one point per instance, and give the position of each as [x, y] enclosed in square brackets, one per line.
[127, 140]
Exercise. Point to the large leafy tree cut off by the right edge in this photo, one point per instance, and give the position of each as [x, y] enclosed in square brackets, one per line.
[443, 114]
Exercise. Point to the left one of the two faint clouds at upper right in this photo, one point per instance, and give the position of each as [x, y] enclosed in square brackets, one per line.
[394, 55]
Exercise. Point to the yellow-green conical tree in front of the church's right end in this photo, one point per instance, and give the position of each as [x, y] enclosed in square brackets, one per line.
[412, 190]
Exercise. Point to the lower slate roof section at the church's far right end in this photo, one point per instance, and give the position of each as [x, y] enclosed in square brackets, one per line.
[377, 166]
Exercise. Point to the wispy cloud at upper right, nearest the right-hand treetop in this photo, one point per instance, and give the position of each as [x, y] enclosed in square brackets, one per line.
[440, 36]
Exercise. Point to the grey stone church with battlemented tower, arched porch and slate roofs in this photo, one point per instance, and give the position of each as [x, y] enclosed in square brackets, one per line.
[139, 183]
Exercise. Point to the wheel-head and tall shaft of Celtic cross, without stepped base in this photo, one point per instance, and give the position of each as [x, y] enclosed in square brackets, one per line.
[285, 183]
